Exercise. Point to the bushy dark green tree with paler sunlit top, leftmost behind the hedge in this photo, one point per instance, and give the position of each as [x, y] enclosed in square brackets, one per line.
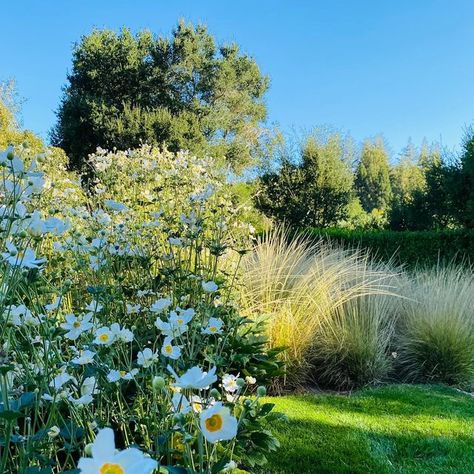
[312, 191]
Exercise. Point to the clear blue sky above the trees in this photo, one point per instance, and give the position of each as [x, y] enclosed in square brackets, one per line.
[402, 68]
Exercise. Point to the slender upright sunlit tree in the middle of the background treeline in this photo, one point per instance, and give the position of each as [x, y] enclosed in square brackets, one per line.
[373, 177]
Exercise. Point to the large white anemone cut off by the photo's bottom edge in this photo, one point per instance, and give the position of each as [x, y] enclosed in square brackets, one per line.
[107, 460]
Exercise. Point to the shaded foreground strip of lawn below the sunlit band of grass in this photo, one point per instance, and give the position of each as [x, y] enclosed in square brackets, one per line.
[315, 447]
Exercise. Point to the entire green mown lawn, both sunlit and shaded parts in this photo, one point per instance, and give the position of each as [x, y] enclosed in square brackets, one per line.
[393, 429]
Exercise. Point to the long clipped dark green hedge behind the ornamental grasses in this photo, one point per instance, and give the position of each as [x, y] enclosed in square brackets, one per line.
[424, 248]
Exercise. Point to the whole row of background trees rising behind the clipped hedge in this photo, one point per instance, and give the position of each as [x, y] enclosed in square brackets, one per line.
[325, 183]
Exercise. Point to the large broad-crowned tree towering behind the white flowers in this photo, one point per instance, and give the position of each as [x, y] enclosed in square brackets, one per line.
[183, 91]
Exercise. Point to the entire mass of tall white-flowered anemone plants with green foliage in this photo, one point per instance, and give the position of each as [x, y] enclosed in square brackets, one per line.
[117, 320]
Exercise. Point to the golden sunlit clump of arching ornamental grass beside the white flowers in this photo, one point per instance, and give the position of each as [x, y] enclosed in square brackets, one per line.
[304, 289]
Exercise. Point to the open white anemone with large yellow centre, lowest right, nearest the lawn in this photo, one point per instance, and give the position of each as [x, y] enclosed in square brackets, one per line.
[217, 424]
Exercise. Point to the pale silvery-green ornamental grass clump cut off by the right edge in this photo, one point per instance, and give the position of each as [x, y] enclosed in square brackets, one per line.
[436, 341]
